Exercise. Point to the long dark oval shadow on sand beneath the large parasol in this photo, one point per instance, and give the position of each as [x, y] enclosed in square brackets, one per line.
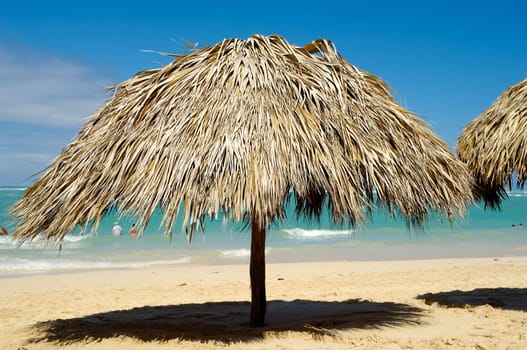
[226, 321]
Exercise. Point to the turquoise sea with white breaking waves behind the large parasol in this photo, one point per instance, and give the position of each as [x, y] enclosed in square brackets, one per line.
[482, 233]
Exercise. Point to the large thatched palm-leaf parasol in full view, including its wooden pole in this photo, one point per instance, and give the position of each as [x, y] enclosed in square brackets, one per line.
[238, 128]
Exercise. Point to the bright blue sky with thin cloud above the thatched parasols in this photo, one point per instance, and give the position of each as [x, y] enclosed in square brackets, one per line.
[447, 60]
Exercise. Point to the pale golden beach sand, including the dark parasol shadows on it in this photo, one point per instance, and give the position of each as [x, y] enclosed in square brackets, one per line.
[417, 304]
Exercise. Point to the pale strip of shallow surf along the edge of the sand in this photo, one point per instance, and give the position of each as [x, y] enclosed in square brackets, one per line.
[373, 255]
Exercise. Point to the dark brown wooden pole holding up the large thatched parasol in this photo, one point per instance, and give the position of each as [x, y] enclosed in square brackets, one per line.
[257, 272]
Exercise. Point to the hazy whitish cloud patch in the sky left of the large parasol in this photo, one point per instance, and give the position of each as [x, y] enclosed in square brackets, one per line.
[37, 88]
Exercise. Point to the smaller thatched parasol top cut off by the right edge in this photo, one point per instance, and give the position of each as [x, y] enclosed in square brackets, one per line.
[494, 145]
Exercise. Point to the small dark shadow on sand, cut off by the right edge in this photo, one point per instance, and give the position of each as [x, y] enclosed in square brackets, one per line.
[503, 298]
